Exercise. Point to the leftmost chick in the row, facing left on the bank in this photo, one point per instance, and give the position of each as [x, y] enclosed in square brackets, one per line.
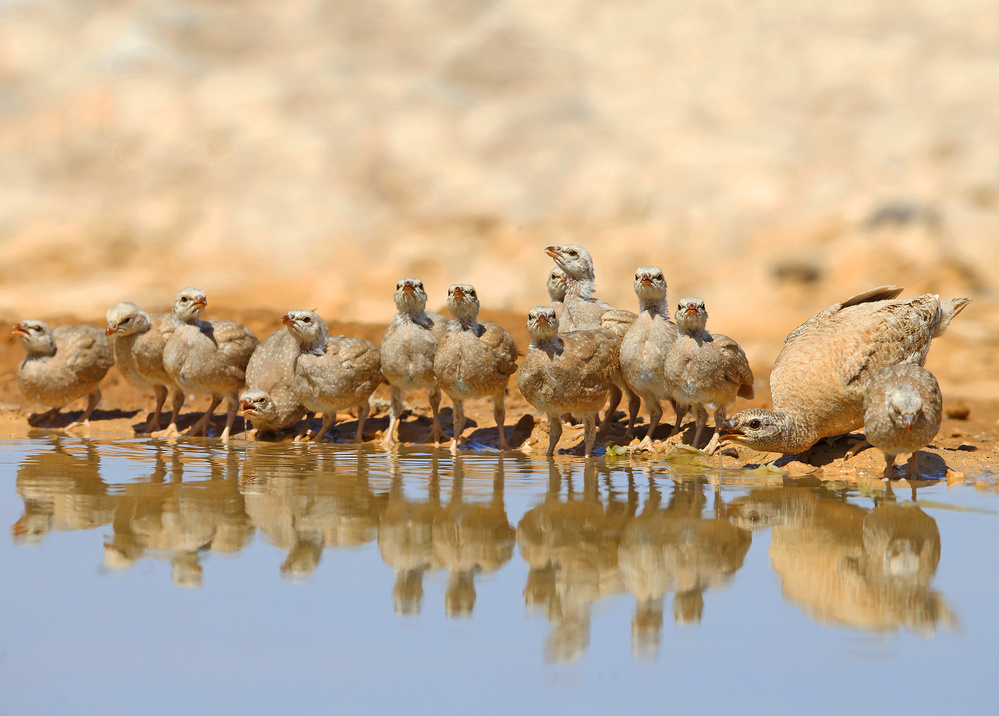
[61, 365]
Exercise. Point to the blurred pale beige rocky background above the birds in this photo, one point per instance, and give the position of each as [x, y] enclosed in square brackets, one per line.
[771, 156]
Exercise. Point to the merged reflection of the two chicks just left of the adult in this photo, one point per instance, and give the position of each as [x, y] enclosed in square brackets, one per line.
[677, 549]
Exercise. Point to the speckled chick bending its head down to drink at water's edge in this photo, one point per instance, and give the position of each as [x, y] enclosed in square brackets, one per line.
[268, 401]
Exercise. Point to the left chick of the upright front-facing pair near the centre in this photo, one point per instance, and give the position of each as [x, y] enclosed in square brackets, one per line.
[407, 352]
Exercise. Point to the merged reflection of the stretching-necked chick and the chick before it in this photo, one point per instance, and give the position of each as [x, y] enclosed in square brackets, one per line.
[571, 546]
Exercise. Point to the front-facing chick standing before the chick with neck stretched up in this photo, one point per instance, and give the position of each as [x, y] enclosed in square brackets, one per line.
[566, 373]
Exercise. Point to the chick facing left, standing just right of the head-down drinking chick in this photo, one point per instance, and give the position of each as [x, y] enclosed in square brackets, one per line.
[332, 372]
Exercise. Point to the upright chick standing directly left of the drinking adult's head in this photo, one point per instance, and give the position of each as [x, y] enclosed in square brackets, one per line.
[704, 370]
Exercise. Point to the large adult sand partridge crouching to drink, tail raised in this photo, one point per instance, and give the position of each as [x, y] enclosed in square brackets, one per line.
[820, 378]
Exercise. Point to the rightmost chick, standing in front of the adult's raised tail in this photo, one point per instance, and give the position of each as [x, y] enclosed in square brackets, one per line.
[902, 412]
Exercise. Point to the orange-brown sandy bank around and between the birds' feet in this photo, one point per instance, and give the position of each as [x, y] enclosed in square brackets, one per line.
[965, 360]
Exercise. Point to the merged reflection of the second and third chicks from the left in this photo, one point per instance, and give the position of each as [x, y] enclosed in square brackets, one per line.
[164, 517]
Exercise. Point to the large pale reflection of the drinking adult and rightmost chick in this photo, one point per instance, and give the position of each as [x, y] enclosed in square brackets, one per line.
[844, 565]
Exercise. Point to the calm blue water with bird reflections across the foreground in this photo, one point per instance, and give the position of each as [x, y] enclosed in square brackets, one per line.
[165, 577]
